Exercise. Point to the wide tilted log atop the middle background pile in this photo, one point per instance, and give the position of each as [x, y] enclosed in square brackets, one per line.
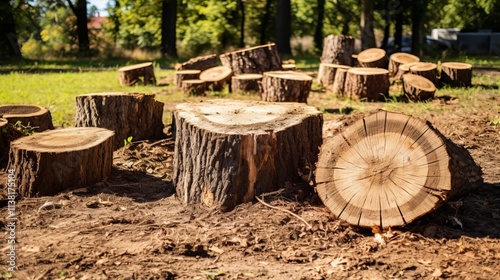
[257, 60]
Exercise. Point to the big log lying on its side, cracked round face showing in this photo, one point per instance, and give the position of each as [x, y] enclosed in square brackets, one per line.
[388, 169]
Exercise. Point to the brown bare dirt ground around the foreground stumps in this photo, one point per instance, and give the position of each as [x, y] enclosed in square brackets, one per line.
[132, 227]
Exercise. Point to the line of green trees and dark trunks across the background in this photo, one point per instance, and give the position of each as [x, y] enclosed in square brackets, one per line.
[195, 27]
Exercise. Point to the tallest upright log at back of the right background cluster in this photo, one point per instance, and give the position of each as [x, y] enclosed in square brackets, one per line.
[338, 50]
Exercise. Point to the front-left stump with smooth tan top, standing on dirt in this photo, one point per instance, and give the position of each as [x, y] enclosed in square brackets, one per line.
[51, 161]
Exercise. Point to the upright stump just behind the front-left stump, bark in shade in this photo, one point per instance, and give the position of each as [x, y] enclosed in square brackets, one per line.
[133, 115]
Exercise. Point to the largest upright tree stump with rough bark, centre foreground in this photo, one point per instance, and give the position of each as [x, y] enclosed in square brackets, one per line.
[227, 152]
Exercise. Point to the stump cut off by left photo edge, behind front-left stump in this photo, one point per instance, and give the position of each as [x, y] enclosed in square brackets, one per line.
[33, 117]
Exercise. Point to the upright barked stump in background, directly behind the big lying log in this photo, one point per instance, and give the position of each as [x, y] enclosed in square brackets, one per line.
[370, 84]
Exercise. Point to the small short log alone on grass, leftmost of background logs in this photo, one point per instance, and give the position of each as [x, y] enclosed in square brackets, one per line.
[139, 73]
